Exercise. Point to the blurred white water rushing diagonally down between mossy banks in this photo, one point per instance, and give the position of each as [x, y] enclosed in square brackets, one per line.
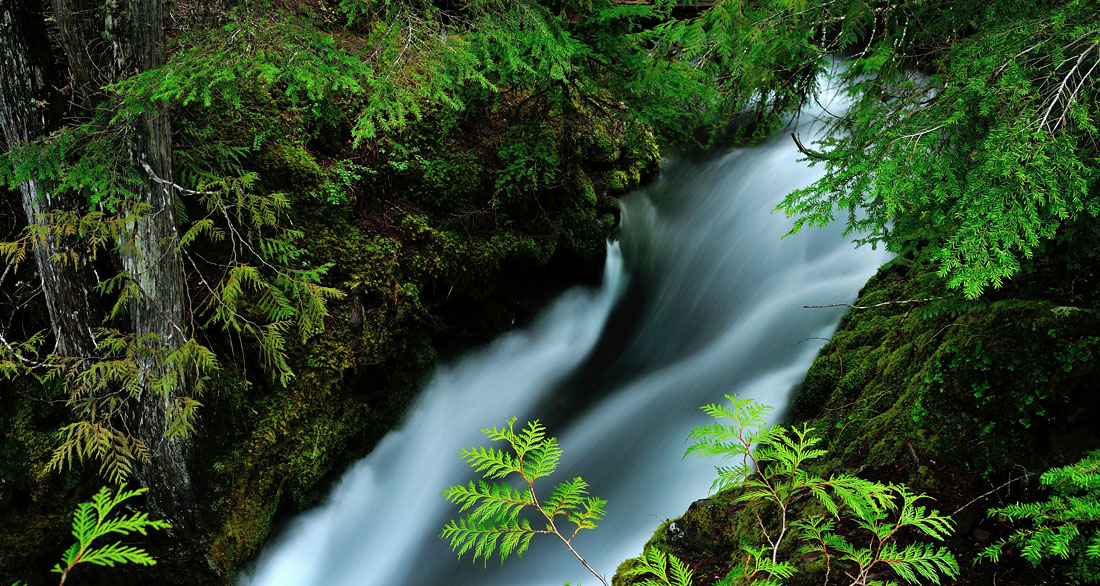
[706, 298]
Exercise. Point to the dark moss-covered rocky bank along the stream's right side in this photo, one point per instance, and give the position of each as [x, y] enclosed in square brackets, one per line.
[964, 401]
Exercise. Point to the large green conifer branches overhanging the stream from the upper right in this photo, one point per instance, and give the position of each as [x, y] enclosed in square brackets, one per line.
[986, 156]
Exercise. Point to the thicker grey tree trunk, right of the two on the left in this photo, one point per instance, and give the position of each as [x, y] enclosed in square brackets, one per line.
[105, 41]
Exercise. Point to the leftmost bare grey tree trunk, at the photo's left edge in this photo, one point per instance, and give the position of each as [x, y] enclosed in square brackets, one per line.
[25, 97]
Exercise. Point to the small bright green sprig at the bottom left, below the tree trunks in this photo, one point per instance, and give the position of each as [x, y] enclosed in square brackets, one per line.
[93, 521]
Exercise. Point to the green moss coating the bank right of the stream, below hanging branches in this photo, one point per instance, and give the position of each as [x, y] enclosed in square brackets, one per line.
[998, 377]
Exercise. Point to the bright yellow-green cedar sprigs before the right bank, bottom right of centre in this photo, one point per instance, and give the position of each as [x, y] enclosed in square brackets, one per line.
[773, 474]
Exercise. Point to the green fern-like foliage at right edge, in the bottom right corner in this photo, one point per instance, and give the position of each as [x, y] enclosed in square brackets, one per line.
[1066, 527]
